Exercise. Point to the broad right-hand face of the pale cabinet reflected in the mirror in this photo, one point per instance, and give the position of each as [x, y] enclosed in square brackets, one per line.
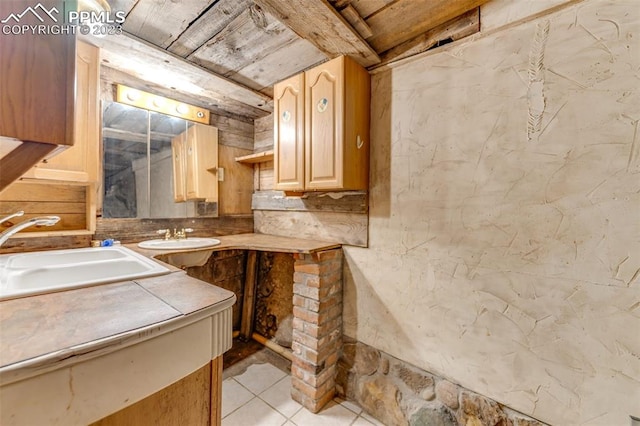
[202, 163]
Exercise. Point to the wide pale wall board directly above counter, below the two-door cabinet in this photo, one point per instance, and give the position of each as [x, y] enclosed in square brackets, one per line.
[344, 228]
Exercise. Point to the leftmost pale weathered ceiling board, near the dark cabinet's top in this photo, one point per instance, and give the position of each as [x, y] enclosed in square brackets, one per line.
[161, 22]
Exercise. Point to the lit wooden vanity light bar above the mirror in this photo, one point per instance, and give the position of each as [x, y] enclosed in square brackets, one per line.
[151, 102]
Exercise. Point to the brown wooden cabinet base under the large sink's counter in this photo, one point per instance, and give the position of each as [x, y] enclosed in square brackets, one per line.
[193, 400]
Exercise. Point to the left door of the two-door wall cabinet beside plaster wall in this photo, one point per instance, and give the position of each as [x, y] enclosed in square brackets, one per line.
[288, 129]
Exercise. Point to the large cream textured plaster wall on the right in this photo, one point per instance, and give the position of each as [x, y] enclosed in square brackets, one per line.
[504, 246]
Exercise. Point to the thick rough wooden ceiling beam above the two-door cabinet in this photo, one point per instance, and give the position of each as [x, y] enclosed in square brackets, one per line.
[319, 23]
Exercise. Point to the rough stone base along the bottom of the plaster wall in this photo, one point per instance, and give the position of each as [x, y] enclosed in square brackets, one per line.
[397, 393]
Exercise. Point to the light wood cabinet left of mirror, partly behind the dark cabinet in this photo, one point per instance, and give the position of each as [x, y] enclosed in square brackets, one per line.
[79, 163]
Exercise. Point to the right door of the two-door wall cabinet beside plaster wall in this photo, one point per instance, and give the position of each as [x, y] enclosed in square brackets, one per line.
[324, 112]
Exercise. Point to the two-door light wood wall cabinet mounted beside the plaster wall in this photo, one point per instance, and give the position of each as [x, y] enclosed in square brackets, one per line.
[335, 102]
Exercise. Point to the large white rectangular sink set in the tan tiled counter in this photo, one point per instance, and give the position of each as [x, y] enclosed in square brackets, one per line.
[26, 274]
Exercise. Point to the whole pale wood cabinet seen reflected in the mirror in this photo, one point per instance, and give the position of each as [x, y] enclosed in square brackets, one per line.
[195, 164]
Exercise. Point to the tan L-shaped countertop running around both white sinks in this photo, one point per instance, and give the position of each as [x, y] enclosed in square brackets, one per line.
[39, 331]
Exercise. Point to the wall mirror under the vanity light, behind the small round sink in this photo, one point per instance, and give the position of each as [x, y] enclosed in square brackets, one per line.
[140, 163]
